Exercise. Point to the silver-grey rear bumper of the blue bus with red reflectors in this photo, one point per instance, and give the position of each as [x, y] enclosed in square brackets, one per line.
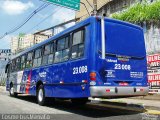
[106, 91]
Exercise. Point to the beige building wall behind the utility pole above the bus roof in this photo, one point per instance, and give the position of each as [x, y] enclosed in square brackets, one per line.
[107, 6]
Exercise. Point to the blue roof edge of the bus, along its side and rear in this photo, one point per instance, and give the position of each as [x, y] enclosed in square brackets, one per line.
[68, 30]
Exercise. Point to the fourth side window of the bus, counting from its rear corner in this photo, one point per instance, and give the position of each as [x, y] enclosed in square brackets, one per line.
[37, 58]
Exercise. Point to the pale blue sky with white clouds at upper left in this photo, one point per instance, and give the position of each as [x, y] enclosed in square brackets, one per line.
[14, 12]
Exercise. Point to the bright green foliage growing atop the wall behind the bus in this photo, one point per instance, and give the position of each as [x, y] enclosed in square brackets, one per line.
[140, 12]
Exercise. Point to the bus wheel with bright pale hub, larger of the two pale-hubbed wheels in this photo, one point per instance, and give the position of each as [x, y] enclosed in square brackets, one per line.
[41, 95]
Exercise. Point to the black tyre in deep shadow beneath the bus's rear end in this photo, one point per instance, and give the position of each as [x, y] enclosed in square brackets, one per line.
[79, 101]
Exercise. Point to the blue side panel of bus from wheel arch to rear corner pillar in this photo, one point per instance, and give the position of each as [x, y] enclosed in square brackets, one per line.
[64, 80]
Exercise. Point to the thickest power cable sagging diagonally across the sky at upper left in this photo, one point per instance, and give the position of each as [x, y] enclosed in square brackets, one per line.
[28, 18]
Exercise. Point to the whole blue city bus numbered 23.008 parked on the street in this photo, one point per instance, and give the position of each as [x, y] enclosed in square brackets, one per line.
[98, 57]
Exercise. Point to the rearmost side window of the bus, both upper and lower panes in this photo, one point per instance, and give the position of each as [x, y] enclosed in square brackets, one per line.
[78, 45]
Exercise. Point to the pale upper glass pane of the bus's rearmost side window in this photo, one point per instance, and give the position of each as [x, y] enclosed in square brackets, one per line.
[77, 38]
